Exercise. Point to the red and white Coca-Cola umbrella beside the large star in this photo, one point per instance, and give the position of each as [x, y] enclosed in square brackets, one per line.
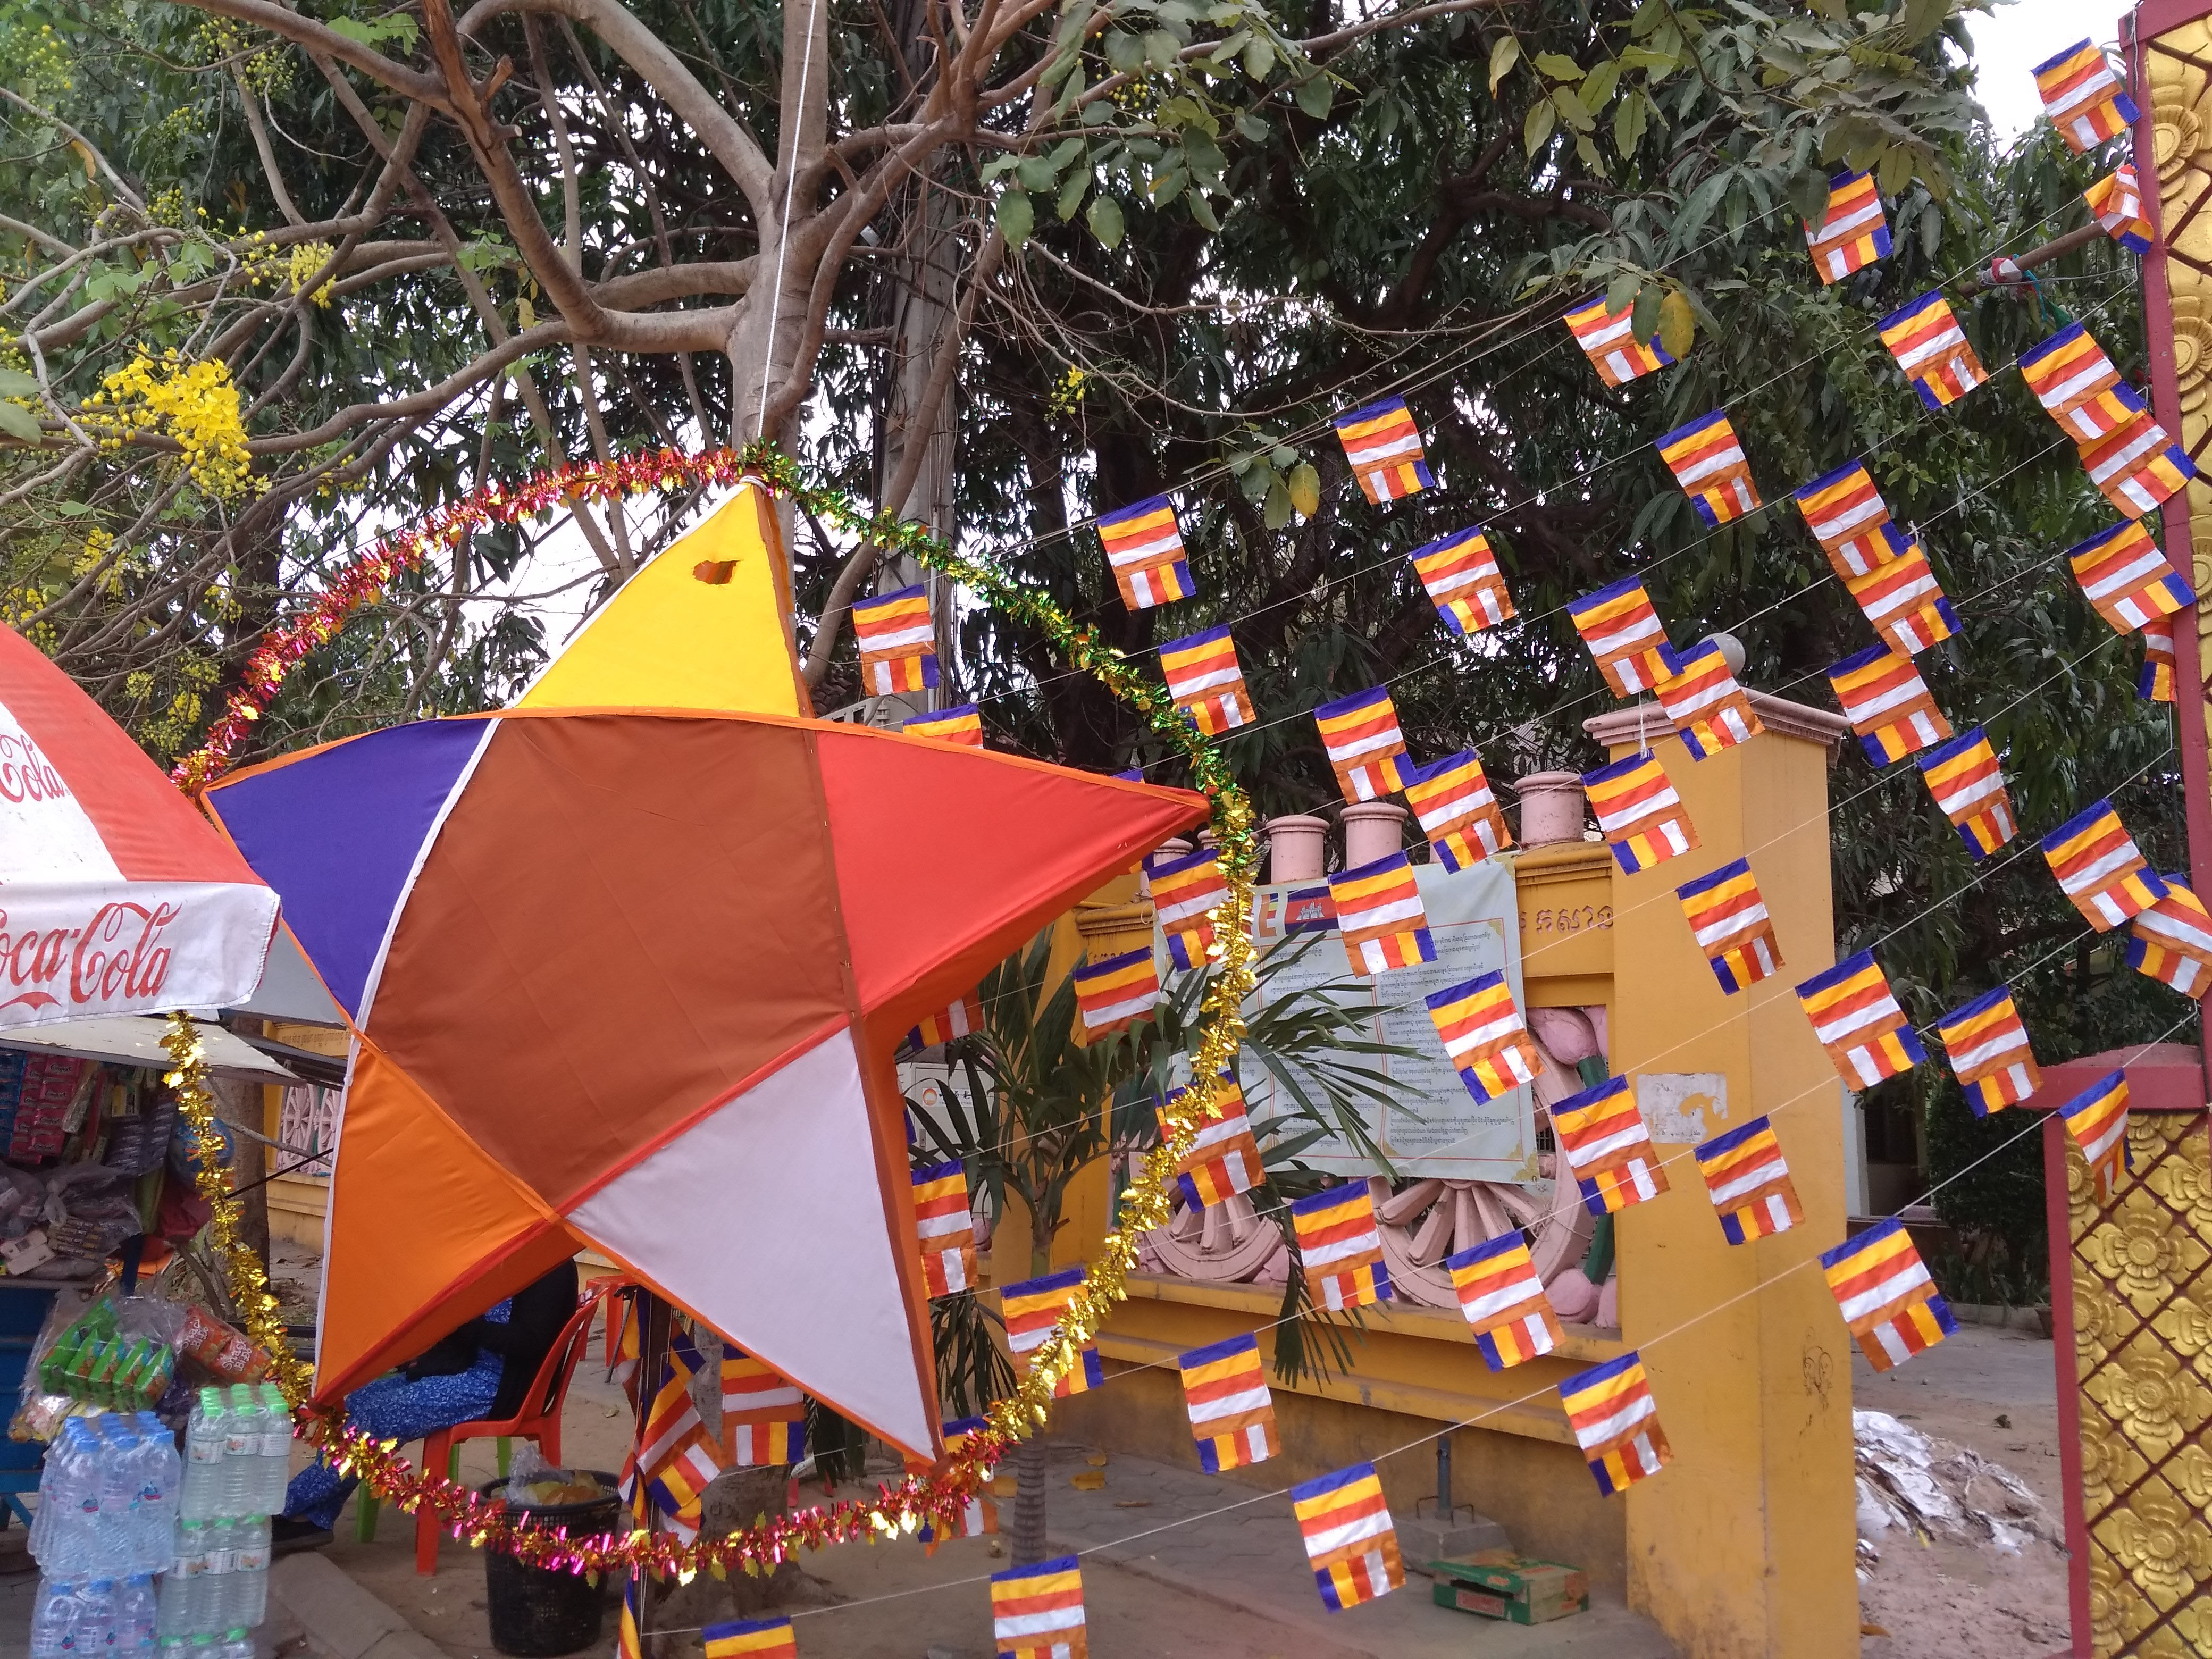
[116, 897]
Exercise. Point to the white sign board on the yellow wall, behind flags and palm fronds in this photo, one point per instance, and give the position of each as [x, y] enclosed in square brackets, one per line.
[1432, 1127]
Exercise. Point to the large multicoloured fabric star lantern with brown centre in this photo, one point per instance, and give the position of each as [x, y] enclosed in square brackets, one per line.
[634, 977]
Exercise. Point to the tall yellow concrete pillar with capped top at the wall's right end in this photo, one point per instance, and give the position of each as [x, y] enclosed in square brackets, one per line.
[1744, 1547]
